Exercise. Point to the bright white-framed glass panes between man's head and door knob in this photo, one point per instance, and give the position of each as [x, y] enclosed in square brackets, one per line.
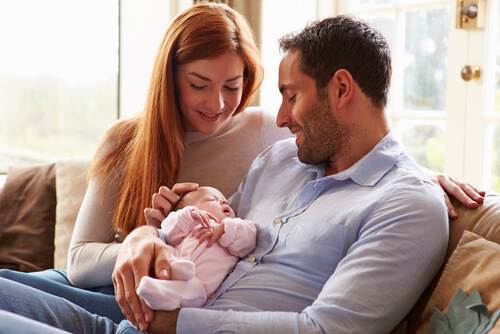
[418, 34]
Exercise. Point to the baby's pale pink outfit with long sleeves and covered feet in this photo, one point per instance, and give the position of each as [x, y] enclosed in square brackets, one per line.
[196, 270]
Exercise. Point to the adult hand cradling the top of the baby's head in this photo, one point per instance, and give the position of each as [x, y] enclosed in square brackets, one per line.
[164, 200]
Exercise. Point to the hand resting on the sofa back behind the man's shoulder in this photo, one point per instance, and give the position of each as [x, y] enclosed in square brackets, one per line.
[464, 192]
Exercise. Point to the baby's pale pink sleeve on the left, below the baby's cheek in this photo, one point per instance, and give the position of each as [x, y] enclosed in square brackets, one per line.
[177, 225]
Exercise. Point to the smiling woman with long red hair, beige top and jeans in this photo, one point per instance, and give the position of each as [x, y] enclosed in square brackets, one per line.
[191, 129]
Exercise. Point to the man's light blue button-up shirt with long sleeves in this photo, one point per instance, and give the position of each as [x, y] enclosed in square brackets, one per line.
[346, 253]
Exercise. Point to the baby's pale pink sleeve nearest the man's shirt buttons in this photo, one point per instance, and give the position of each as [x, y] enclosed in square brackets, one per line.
[239, 236]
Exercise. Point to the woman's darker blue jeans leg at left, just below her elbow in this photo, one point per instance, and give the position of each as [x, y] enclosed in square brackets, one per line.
[100, 300]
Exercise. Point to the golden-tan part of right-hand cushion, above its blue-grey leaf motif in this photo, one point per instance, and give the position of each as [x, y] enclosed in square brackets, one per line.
[472, 266]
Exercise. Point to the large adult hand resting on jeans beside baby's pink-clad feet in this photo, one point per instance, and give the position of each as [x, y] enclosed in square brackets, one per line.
[141, 253]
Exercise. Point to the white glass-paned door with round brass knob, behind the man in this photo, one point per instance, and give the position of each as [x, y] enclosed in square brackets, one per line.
[444, 122]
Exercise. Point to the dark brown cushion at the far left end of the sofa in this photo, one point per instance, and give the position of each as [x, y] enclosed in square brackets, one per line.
[27, 217]
